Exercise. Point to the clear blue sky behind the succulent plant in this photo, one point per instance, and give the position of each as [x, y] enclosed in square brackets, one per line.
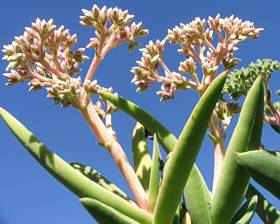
[28, 194]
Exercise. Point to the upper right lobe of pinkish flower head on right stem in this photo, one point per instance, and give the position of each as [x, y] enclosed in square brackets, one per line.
[197, 40]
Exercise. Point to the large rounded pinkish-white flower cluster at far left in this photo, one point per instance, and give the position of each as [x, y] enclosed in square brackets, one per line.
[42, 55]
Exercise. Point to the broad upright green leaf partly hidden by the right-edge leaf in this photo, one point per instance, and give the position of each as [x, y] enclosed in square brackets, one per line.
[233, 181]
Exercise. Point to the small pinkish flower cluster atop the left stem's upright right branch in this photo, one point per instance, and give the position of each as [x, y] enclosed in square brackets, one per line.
[113, 27]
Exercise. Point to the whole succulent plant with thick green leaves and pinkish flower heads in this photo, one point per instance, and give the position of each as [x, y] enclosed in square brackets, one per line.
[171, 190]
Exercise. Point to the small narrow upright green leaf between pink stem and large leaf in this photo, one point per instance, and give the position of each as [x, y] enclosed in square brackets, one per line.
[154, 178]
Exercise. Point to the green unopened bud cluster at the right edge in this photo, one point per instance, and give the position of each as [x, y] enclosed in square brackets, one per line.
[240, 80]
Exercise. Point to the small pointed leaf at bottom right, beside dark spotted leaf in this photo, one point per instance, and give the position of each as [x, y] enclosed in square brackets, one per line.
[246, 212]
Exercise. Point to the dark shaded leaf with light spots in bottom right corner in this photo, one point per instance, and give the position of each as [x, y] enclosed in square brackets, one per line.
[265, 210]
